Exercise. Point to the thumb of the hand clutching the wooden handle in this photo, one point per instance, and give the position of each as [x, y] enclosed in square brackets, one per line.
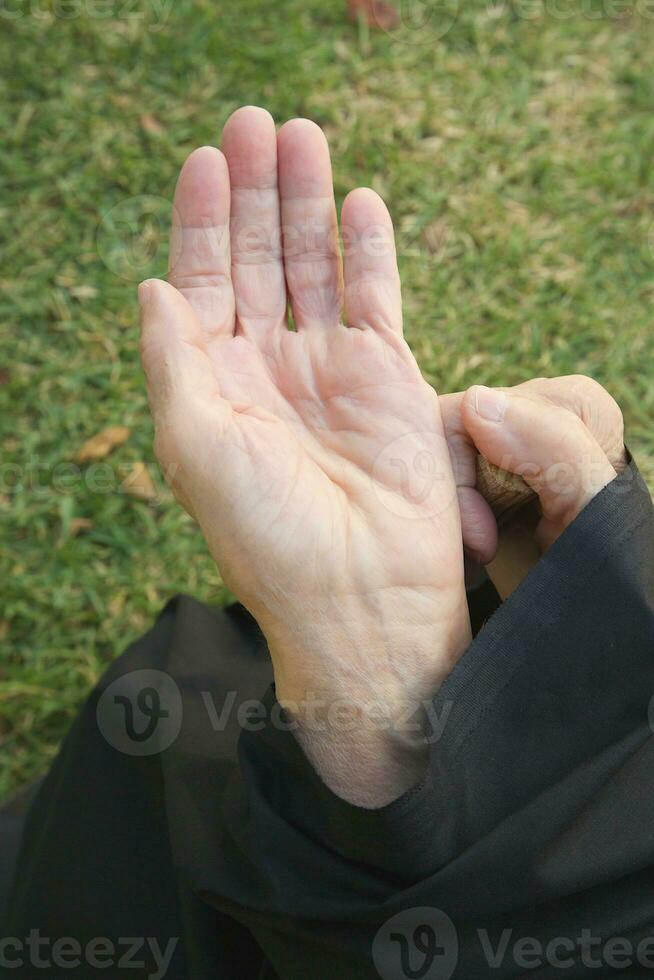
[545, 444]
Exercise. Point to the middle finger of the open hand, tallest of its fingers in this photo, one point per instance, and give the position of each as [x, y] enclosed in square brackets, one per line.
[250, 146]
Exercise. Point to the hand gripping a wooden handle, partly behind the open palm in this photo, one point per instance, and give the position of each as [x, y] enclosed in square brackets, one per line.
[563, 436]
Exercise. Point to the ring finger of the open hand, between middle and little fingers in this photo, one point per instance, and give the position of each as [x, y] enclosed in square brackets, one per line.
[312, 259]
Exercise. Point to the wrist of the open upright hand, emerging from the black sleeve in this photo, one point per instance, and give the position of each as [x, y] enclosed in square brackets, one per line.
[359, 687]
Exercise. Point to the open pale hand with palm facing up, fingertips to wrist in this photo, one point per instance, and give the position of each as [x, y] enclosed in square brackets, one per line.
[295, 450]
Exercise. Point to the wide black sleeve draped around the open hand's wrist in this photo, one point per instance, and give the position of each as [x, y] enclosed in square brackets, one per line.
[529, 846]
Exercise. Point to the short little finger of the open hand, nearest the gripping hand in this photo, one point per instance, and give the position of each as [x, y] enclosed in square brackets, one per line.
[373, 296]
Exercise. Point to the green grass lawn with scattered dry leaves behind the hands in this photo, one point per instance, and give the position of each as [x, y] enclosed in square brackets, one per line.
[515, 155]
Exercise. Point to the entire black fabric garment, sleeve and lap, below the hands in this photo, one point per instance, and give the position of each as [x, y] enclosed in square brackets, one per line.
[527, 850]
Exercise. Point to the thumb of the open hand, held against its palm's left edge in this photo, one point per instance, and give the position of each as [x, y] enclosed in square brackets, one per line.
[173, 352]
